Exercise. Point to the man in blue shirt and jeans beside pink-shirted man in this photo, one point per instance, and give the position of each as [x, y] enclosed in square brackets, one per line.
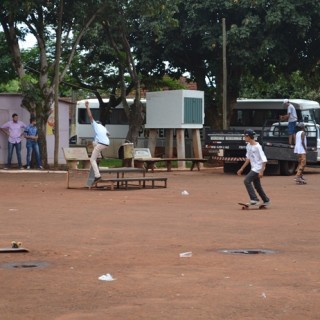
[31, 135]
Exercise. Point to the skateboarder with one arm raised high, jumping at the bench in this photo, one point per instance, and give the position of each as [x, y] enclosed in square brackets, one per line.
[101, 141]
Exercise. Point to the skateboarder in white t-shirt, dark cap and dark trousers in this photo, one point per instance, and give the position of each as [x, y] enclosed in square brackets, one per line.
[257, 159]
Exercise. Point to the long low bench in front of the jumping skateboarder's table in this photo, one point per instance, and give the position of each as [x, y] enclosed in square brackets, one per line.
[125, 182]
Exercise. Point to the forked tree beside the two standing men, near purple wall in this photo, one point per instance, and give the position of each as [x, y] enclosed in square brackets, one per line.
[41, 20]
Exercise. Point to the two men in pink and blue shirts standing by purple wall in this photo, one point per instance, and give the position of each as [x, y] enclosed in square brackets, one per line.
[16, 130]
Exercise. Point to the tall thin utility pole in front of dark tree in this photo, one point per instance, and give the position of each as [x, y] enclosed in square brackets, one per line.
[224, 70]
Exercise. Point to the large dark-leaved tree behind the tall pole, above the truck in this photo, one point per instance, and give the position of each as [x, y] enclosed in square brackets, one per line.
[283, 35]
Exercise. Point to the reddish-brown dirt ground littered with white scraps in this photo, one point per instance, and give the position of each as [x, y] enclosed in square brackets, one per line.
[77, 235]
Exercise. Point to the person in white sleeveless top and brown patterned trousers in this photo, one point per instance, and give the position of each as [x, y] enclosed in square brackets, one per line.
[300, 149]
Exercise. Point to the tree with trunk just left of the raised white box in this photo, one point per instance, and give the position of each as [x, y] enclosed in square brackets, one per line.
[114, 67]
